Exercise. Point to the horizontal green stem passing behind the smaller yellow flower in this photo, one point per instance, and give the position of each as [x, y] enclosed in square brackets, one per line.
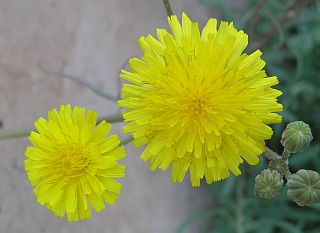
[26, 132]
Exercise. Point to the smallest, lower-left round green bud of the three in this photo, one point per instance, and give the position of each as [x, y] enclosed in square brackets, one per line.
[268, 184]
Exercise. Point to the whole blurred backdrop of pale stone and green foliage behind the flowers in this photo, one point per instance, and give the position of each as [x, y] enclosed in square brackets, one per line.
[92, 40]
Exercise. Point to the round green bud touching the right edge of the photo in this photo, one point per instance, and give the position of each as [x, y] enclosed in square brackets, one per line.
[304, 187]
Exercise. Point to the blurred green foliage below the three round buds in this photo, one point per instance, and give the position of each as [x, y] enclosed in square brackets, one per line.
[258, 215]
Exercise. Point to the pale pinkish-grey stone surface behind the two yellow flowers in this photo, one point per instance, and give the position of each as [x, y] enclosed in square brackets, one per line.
[91, 40]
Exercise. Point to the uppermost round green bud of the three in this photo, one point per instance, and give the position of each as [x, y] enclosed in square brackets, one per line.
[296, 137]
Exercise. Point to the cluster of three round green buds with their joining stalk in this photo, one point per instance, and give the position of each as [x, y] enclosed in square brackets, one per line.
[304, 185]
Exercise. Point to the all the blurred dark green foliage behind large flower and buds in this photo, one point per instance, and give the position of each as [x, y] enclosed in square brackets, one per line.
[288, 33]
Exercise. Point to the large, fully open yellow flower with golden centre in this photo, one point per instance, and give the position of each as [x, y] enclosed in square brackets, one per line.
[198, 102]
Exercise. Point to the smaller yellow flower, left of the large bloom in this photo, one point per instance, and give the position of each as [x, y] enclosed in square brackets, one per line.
[72, 163]
